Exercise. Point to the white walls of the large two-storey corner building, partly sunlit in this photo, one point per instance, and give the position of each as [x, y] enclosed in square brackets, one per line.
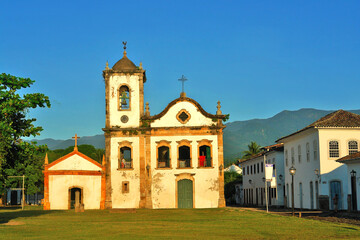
[330, 170]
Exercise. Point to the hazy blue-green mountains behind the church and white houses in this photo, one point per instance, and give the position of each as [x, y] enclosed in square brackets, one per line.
[237, 135]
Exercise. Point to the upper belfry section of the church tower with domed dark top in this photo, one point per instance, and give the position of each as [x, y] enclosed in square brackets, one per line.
[124, 86]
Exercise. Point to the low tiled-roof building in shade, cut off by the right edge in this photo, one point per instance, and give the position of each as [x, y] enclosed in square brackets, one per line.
[352, 162]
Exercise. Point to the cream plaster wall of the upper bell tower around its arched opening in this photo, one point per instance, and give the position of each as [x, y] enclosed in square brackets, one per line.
[132, 81]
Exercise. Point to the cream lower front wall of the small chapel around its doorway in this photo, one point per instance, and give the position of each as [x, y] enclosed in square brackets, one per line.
[59, 190]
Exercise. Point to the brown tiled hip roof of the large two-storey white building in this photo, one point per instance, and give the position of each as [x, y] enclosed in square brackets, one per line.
[337, 119]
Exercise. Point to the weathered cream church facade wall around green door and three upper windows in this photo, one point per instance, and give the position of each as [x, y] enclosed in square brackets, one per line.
[206, 186]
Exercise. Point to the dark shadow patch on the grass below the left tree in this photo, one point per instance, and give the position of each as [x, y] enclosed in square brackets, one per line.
[9, 213]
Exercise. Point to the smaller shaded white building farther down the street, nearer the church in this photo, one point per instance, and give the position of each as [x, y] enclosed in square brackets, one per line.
[254, 177]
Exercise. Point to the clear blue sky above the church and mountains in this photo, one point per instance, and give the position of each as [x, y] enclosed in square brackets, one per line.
[257, 57]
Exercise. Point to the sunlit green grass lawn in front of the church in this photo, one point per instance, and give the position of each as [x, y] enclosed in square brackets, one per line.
[225, 223]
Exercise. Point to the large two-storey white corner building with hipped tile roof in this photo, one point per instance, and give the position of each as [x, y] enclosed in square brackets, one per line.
[313, 151]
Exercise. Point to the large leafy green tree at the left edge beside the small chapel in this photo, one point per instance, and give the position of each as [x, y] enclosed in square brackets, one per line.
[16, 156]
